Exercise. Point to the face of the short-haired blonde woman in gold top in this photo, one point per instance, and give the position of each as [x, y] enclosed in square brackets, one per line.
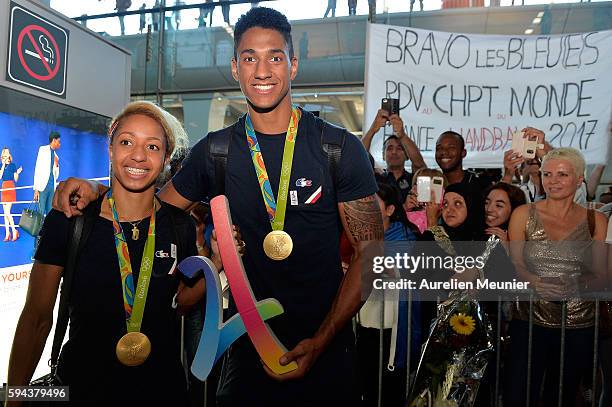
[559, 179]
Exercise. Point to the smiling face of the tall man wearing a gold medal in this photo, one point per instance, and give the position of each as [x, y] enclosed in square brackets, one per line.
[263, 68]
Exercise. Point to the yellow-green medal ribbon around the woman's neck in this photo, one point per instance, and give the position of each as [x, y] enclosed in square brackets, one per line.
[133, 301]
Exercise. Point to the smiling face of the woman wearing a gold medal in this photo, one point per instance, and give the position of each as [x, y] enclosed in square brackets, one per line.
[138, 152]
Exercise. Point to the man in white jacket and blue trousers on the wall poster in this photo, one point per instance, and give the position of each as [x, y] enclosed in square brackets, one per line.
[46, 172]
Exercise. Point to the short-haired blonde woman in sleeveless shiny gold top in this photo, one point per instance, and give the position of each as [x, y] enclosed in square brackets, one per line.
[551, 242]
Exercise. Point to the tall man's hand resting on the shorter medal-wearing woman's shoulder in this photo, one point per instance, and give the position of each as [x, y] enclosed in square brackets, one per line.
[73, 195]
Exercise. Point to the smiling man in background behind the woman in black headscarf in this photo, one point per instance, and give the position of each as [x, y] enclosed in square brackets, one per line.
[450, 152]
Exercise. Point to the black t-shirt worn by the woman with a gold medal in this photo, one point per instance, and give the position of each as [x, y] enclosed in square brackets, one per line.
[88, 363]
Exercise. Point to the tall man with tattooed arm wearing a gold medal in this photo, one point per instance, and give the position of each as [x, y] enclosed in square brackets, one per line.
[318, 300]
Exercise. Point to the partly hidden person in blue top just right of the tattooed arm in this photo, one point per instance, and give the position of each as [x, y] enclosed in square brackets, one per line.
[397, 230]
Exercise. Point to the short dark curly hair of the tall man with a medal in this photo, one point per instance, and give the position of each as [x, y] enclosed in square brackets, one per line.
[263, 17]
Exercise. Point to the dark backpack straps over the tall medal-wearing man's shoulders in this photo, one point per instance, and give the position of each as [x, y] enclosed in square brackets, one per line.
[332, 141]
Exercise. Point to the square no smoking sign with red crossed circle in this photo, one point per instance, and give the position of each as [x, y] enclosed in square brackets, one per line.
[37, 52]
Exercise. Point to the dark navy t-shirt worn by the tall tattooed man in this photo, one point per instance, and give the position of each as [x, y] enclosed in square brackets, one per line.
[307, 281]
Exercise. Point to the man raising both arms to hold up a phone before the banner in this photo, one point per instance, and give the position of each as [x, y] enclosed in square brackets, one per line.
[396, 150]
